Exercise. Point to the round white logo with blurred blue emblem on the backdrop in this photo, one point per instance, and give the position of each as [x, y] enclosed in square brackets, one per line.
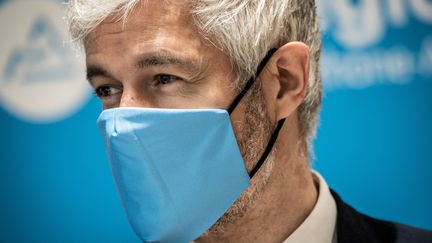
[41, 79]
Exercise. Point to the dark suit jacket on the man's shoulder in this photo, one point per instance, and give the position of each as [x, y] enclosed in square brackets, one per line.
[354, 227]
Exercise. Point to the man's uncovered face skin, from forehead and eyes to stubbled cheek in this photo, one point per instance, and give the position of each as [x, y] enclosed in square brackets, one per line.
[158, 59]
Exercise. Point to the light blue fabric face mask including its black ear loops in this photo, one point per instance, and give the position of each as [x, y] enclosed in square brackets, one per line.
[177, 170]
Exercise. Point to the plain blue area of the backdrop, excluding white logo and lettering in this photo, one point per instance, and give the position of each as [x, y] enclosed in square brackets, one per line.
[373, 148]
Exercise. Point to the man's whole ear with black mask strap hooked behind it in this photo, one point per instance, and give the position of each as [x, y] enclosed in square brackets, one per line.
[286, 79]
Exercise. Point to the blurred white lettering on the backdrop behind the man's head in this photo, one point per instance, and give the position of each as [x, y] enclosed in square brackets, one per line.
[357, 25]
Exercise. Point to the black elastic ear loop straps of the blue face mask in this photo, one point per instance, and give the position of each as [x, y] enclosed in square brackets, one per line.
[240, 96]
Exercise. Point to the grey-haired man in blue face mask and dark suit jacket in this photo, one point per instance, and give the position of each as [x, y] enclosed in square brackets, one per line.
[173, 77]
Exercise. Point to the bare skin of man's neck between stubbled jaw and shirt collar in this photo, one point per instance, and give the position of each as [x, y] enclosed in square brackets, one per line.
[282, 206]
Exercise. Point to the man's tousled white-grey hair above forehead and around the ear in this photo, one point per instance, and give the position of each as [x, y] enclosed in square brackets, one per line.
[245, 30]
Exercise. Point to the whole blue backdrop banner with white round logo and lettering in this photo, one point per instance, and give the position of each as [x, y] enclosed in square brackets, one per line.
[374, 141]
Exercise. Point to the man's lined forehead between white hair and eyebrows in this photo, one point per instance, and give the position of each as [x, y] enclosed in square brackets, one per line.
[150, 24]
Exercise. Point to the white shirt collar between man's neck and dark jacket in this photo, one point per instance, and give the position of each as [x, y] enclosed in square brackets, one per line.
[320, 225]
